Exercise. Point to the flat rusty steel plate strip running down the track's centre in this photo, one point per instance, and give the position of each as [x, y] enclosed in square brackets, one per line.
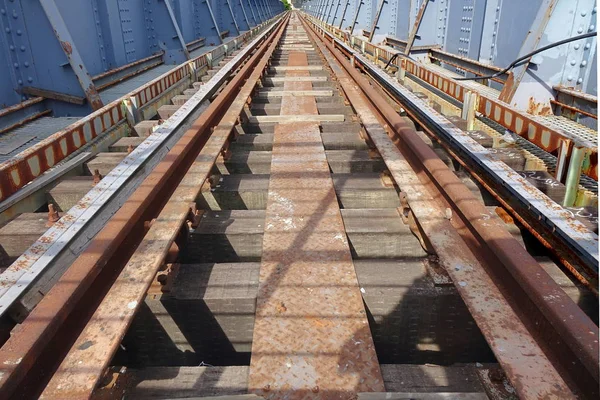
[311, 335]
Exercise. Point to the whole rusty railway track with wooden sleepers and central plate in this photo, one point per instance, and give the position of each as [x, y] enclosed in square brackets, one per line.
[301, 239]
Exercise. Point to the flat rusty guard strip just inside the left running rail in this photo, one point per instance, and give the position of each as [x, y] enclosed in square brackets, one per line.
[88, 358]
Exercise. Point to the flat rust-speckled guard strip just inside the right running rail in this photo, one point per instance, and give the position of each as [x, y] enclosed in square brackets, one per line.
[533, 375]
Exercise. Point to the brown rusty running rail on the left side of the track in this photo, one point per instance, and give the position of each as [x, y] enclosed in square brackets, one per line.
[31, 339]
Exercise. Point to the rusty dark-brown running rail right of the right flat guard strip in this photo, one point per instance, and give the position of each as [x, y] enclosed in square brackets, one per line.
[575, 328]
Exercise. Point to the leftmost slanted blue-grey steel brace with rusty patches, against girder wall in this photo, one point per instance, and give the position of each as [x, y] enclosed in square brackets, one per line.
[66, 42]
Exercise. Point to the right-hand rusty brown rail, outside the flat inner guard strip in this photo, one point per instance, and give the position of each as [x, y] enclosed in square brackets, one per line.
[564, 318]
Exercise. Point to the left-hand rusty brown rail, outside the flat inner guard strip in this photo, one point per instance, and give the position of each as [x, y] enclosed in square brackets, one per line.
[37, 345]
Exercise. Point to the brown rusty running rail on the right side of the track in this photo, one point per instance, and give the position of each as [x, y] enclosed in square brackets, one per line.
[548, 313]
